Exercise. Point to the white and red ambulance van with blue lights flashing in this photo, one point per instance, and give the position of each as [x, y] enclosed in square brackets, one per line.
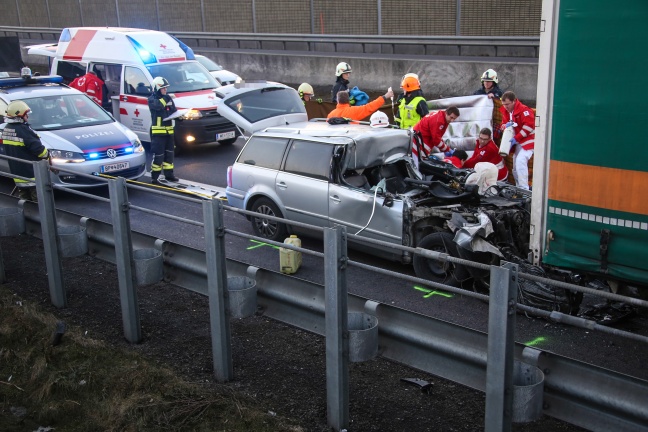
[128, 60]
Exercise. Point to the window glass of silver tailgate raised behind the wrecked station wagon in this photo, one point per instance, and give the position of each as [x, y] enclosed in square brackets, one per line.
[264, 103]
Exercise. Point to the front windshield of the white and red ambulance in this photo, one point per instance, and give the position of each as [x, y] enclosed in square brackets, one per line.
[184, 76]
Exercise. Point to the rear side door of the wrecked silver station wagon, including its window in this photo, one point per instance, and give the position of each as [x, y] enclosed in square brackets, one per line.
[302, 184]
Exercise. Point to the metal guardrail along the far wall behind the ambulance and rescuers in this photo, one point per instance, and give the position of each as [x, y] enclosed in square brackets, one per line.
[490, 46]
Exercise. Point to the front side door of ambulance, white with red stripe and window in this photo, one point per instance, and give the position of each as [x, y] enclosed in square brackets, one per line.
[134, 112]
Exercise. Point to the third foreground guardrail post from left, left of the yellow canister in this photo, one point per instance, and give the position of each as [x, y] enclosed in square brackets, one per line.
[217, 289]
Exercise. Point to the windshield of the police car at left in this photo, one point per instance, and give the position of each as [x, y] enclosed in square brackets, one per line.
[65, 112]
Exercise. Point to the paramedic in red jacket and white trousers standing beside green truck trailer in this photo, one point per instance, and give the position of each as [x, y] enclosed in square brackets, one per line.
[523, 119]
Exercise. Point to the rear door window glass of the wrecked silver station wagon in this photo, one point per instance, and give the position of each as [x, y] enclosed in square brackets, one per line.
[309, 159]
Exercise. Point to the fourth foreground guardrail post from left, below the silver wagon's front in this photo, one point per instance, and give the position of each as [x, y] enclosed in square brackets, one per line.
[337, 332]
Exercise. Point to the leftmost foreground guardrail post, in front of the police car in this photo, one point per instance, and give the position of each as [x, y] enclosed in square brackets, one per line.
[47, 212]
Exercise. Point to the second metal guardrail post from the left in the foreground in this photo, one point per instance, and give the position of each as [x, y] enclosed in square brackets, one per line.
[119, 208]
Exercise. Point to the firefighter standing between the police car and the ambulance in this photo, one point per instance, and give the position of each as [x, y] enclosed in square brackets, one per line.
[162, 138]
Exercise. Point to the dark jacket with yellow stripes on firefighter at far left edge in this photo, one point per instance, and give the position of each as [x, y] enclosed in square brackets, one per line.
[20, 141]
